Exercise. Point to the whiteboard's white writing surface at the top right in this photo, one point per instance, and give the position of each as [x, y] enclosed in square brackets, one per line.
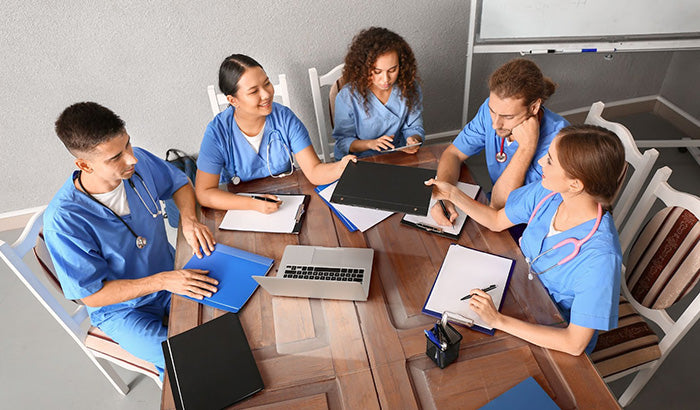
[608, 19]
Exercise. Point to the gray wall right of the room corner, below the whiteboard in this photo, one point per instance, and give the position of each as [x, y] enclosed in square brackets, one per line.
[681, 84]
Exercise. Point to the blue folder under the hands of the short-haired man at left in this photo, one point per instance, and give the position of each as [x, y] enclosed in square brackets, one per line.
[234, 269]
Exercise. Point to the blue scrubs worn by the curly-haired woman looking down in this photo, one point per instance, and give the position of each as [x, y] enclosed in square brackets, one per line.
[352, 122]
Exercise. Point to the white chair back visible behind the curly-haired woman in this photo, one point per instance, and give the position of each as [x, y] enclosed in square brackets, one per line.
[332, 79]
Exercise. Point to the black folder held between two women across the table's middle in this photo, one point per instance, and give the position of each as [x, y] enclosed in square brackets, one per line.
[383, 186]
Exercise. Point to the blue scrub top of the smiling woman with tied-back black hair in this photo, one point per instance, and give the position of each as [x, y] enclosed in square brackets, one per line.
[226, 152]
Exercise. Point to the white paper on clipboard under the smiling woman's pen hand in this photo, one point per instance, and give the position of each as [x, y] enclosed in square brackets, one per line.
[281, 221]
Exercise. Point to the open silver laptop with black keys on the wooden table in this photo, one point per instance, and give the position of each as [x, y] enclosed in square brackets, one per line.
[320, 272]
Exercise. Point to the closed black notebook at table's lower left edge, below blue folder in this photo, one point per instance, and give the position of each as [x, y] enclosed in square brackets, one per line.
[211, 366]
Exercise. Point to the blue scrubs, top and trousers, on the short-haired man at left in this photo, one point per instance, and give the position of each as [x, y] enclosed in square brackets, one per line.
[89, 245]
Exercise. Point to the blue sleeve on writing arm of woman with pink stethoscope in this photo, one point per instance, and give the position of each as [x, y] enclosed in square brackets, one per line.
[596, 292]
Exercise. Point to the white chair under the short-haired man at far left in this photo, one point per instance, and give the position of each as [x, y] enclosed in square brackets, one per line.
[98, 347]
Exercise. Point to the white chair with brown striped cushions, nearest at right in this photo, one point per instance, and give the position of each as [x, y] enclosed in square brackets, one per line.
[662, 267]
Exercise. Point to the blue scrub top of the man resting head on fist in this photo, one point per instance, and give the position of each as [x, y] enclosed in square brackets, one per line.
[479, 134]
